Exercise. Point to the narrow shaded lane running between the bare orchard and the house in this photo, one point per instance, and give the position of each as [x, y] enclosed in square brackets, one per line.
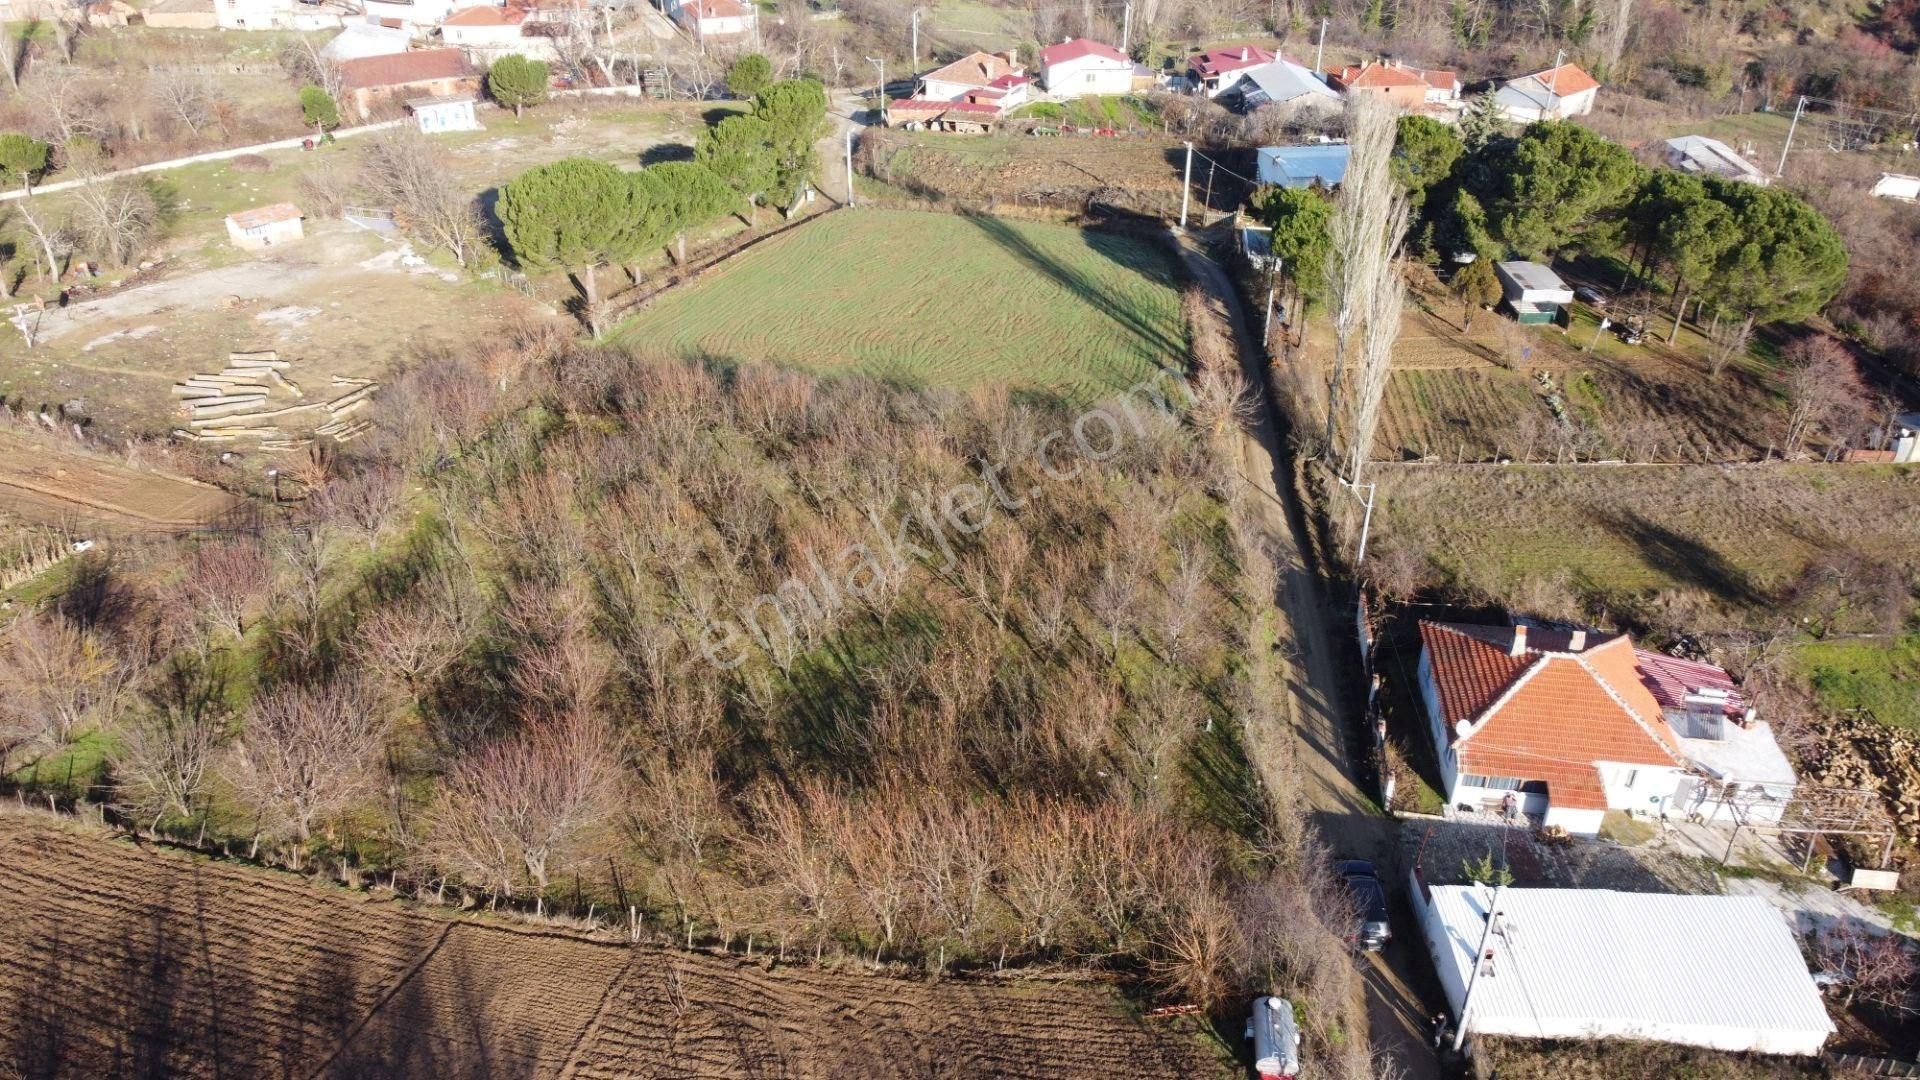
[1343, 812]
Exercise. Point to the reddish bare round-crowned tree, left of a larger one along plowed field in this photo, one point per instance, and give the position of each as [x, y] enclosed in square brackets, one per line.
[308, 754]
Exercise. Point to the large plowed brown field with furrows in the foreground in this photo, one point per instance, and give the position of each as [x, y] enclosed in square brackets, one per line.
[118, 960]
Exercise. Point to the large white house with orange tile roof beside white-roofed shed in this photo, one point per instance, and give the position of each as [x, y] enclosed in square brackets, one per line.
[1575, 724]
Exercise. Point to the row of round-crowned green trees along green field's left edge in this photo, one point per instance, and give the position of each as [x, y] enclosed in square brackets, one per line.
[581, 214]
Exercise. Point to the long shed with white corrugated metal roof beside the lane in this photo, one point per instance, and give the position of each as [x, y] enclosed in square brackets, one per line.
[1716, 971]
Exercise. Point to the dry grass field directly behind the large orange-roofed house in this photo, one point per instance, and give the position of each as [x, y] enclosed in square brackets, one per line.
[1621, 537]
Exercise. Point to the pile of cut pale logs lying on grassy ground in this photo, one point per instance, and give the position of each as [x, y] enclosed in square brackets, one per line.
[237, 403]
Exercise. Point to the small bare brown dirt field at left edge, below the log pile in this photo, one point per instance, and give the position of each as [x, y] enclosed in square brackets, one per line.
[49, 485]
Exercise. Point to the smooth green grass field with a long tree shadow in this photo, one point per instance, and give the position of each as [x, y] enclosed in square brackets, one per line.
[928, 299]
